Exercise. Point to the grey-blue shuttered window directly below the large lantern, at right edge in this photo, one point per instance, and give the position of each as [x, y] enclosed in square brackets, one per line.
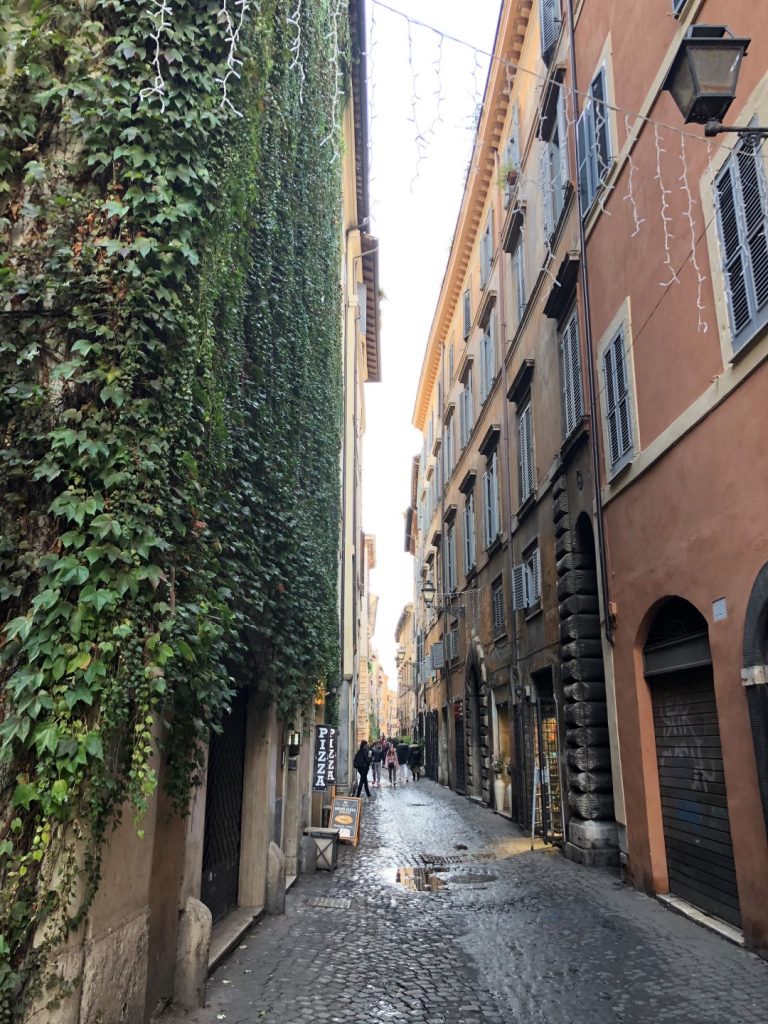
[742, 200]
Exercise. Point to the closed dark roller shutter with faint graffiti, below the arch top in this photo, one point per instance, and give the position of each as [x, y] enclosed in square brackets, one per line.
[695, 808]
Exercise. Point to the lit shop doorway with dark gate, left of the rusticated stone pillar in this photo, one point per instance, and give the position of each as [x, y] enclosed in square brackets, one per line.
[537, 747]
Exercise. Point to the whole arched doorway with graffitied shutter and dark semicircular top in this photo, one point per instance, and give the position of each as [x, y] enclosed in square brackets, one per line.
[695, 807]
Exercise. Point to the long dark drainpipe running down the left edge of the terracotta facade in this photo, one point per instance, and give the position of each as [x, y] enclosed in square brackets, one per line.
[591, 385]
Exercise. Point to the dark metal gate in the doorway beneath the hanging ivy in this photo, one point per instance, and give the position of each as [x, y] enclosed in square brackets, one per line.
[224, 813]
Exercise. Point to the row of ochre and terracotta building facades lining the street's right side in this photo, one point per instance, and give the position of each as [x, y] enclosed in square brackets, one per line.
[590, 552]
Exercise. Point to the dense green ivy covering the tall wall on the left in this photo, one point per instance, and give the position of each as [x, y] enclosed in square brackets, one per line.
[170, 410]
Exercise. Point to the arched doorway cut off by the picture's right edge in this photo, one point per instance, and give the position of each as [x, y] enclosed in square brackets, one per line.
[756, 678]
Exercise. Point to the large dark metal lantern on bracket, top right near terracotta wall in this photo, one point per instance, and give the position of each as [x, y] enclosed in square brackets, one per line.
[704, 76]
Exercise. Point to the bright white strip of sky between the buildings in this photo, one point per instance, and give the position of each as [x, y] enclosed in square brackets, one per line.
[414, 222]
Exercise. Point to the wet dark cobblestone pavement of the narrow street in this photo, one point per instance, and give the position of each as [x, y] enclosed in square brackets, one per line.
[511, 936]
